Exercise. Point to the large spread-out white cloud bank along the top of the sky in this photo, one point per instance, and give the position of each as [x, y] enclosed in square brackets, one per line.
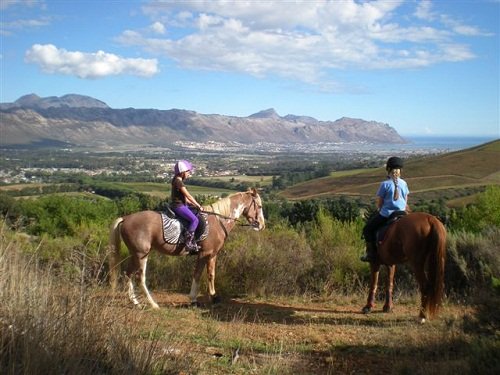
[303, 40]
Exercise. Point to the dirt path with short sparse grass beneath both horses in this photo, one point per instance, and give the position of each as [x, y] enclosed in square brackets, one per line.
[305, 336]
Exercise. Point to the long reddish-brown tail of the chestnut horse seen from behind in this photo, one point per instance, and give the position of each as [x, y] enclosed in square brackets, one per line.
[436, 264]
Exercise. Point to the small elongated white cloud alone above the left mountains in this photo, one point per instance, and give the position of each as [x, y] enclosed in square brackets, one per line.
[88, 65]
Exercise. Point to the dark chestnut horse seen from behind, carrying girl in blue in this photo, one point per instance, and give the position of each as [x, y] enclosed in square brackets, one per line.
[418, 239]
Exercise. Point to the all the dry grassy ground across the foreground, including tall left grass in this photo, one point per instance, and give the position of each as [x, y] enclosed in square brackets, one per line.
[52, 325]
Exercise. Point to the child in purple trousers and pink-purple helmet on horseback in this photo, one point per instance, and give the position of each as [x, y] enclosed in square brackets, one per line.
[180, 197]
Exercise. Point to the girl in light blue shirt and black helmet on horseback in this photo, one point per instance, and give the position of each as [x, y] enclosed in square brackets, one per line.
[391, 196]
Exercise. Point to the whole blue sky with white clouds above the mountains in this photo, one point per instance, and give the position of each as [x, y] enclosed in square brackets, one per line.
[423, 67]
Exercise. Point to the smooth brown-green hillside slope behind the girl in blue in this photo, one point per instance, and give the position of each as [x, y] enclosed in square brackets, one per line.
[473, 167]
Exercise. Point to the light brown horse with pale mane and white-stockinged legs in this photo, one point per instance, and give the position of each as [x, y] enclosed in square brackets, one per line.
[142, 232]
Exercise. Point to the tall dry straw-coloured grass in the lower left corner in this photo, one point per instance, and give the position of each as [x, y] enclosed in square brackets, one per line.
[54, 325]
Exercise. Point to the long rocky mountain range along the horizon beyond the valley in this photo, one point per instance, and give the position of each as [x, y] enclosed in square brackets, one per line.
[77, 120]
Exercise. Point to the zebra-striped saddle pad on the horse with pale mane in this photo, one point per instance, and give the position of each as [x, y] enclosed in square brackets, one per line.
[174, 227]
